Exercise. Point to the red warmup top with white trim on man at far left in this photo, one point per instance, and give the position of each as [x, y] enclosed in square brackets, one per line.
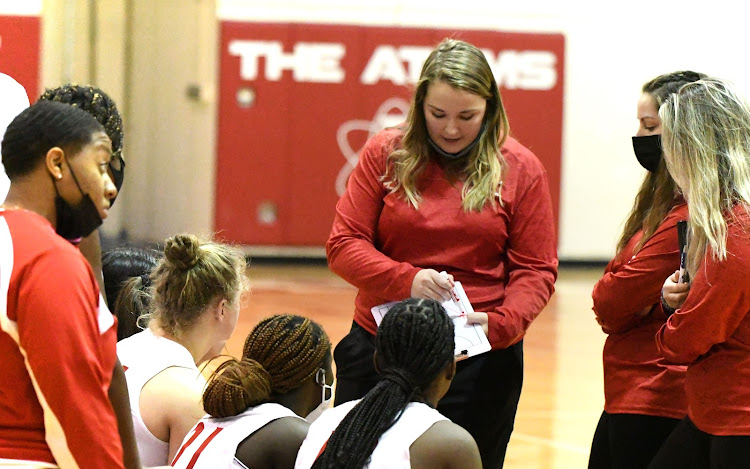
[57, 349]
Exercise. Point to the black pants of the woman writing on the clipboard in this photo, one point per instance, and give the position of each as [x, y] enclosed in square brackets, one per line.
[482, 398]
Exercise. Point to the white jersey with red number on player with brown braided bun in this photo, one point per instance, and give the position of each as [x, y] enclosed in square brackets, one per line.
[212, 443]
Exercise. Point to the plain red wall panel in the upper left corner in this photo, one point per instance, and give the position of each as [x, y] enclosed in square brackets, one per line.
[20, 50]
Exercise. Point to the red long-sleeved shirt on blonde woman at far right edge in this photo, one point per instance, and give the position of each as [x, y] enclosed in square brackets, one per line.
[710, 334]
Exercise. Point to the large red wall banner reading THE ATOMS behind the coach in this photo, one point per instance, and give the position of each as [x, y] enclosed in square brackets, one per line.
[298, 101]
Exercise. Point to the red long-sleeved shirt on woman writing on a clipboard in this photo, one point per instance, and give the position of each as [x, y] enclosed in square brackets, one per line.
[505, 258]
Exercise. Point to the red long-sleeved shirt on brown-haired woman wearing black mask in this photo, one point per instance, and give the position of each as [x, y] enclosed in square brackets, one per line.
[637, 379]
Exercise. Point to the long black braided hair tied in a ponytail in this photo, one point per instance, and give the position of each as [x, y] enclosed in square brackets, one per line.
[414, 343]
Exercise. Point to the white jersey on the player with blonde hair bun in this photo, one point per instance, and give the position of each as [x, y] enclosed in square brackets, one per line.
[143, 356]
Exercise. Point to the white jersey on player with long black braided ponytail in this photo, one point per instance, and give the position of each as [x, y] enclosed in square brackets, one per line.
[392, 451]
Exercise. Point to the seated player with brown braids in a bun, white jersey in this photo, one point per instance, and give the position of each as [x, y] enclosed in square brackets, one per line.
[255, 405]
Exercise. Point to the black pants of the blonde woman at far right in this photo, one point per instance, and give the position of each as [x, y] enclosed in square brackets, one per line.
[689, 448]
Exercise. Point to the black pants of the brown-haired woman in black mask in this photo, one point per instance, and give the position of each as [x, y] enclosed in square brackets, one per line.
[628, 441]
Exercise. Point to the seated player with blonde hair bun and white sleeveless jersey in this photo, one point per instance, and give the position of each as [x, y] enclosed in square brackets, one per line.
[196, 295]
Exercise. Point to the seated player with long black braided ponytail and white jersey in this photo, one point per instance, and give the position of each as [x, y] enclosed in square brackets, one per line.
[396, 425]
